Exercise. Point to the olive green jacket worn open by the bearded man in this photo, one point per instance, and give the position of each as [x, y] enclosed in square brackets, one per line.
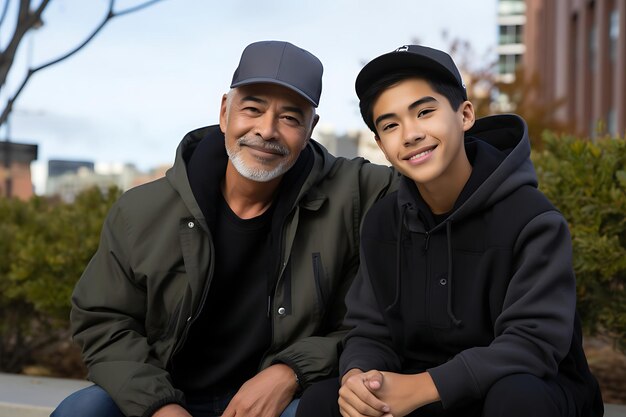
[133, 305]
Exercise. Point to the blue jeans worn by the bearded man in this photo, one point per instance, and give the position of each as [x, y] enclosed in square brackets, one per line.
[93, 401]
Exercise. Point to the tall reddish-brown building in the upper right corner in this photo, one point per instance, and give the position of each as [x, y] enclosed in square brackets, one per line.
[578, 48]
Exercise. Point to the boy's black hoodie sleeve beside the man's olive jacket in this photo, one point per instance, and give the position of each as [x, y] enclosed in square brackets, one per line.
[368, 345]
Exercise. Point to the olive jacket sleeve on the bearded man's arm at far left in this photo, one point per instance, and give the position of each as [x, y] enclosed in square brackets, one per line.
[107, 318]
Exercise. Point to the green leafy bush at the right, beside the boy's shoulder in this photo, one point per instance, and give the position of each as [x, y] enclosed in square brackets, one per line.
[586, 181]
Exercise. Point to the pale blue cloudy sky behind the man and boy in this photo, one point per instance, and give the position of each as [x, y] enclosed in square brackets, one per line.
[151, 76]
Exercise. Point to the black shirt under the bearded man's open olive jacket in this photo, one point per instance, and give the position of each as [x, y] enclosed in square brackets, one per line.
[226, 343]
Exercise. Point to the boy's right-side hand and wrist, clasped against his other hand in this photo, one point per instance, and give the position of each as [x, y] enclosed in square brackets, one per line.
[405, 393]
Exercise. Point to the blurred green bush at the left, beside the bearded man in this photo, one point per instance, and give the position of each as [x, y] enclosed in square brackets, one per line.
[44, 247]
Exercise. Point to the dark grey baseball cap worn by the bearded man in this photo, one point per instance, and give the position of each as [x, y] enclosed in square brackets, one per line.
[282, 63]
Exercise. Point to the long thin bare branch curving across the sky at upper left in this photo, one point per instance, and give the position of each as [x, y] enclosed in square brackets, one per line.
[111, 14]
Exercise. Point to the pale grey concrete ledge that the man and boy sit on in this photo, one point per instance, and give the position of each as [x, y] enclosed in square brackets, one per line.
[25, 396]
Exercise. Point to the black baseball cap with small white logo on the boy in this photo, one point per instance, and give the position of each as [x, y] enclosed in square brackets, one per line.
[410, 57]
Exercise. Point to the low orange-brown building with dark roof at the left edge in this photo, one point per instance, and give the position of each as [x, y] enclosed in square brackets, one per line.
[15, 176]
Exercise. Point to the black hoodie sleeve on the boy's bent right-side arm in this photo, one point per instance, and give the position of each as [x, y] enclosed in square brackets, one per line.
[534, 330]
